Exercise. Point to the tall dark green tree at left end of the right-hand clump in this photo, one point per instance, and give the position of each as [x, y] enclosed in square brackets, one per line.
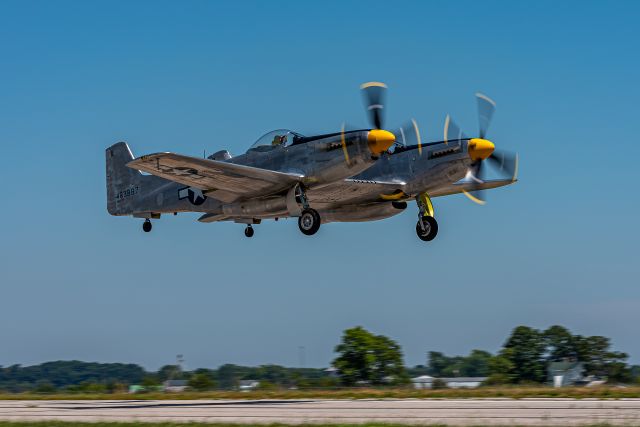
[525, 349]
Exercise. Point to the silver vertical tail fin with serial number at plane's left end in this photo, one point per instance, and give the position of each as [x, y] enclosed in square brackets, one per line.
[123, 183]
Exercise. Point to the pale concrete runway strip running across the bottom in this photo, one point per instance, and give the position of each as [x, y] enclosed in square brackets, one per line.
[547, 412]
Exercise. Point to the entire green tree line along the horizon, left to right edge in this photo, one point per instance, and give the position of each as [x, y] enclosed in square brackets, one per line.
[363, 359]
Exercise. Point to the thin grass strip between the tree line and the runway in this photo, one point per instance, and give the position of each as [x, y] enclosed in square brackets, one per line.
[514, 392]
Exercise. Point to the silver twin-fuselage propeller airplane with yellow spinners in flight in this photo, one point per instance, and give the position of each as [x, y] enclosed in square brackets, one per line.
[347, 176]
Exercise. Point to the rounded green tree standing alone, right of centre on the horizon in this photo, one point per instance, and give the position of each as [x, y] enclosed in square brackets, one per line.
[369, 358]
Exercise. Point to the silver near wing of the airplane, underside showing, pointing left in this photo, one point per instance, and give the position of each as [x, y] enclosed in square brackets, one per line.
[224, 181]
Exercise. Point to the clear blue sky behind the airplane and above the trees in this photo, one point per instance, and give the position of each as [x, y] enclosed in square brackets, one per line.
[559, 247]
